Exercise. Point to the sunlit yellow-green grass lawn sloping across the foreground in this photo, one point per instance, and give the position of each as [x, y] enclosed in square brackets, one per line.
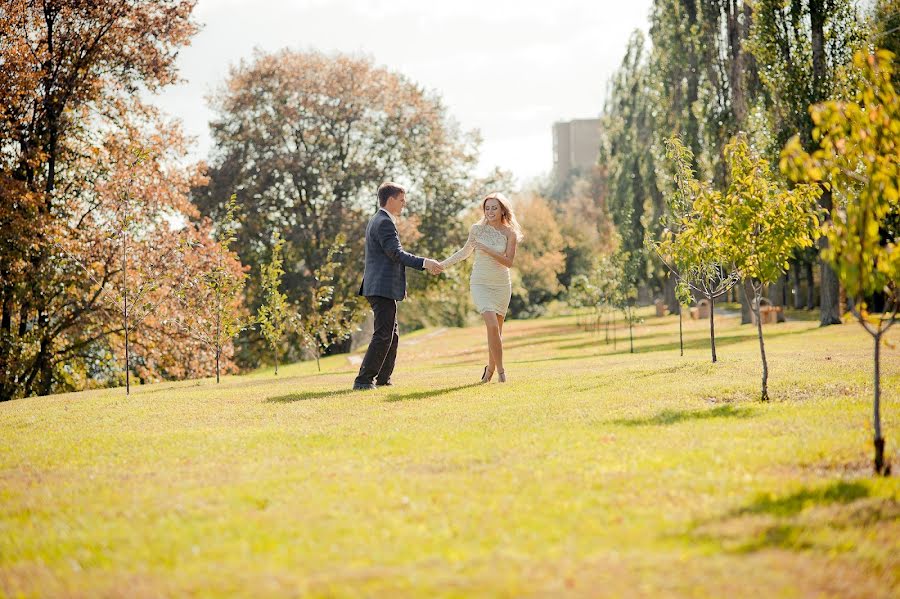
[593, 472]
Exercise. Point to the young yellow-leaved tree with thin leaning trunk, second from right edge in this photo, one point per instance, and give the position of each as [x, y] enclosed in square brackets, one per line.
[765, 224]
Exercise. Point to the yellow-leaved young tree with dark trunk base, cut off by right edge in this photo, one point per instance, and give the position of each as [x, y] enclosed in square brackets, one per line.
[858, 158]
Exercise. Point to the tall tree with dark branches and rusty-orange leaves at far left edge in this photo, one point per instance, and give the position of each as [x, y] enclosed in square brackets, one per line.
[69, 72]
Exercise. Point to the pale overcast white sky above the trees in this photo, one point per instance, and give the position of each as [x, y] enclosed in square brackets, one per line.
[508, 68]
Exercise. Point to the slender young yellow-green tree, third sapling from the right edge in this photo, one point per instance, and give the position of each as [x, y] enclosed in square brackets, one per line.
[691, 245]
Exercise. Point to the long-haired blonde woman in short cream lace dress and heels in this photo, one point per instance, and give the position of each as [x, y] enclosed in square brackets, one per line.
[493, 240]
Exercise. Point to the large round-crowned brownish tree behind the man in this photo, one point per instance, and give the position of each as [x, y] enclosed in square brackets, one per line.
[307, 138]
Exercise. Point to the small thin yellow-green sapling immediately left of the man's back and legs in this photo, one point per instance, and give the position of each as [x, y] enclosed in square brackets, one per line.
[328, 320]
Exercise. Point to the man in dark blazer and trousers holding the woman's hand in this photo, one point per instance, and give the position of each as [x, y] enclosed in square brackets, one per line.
[384, 284]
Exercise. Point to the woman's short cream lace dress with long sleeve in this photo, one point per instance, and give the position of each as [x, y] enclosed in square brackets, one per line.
[490, 282]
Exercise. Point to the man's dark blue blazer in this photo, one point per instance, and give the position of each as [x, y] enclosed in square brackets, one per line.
[386, 262]
